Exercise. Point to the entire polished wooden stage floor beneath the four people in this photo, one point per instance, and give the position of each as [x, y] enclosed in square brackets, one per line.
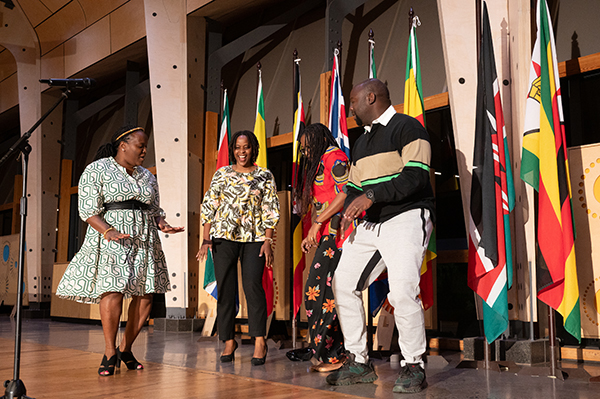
[60, 360]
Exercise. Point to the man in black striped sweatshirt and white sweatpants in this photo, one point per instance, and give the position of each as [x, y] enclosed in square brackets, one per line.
[389, 179]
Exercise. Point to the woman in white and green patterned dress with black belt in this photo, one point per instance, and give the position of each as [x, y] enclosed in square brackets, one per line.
[121, 255]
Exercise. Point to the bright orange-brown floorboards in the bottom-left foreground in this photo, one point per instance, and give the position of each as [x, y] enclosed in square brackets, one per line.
[54, 372]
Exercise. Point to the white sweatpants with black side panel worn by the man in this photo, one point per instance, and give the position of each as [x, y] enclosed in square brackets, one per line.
[402, 242]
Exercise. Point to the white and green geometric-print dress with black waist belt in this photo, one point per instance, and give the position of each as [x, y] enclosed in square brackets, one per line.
[134, 266]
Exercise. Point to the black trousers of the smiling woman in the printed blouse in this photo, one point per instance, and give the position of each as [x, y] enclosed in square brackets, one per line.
[225, 255]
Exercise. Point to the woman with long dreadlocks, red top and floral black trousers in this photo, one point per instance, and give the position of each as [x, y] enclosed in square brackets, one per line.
[321, 178]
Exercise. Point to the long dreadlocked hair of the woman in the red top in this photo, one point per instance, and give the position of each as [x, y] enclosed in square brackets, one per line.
[318, 139]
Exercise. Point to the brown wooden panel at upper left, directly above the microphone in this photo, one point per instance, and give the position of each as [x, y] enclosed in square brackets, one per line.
[88, 47]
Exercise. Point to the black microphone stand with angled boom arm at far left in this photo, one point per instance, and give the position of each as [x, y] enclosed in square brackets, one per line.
[15, 389]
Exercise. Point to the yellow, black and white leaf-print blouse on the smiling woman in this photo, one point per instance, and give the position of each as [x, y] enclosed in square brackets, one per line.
[241, 206]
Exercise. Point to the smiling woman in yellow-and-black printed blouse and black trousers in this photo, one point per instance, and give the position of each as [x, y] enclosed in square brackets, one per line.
[240, 211]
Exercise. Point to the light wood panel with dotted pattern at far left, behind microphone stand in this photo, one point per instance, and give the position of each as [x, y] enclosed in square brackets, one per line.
[9, 272]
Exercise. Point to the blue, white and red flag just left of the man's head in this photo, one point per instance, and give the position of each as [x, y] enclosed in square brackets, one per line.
[337, 109]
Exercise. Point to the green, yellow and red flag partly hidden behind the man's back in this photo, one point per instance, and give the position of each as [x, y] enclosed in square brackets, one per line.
[413, 106]
